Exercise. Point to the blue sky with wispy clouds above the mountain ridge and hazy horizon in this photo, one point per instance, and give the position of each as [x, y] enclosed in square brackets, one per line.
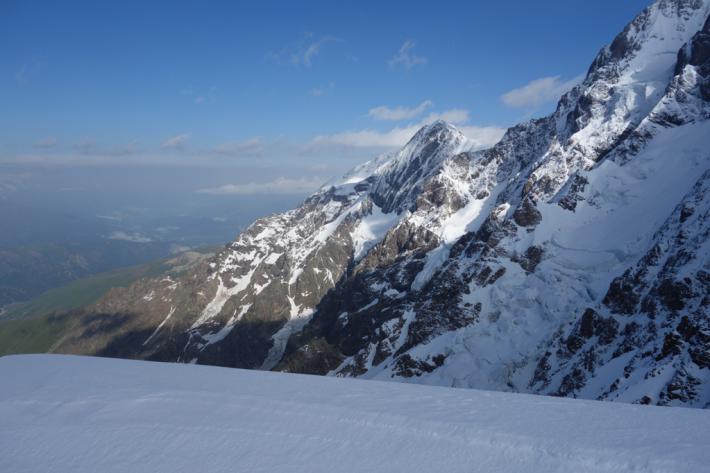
[296, 91]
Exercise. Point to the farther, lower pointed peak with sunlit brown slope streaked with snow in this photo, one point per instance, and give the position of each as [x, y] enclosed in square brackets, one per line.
[240, 308]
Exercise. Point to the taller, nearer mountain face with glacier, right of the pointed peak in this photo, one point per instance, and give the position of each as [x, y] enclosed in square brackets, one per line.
[567, 204]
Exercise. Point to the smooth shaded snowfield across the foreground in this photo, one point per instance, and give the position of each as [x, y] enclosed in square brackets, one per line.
[75, 414]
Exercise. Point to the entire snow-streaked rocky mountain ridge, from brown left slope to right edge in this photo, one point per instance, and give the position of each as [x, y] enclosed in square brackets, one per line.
[571, 258]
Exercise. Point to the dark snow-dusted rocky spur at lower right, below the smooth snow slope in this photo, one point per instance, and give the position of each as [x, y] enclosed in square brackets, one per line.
[652, 323]
